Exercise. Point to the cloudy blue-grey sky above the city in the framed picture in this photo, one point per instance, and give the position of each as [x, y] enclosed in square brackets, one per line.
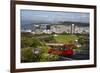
[34, 16]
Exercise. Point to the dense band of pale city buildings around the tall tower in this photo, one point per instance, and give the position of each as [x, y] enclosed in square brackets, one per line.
[69, 28]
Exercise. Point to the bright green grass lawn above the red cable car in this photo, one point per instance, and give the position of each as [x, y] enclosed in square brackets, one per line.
[65, 38]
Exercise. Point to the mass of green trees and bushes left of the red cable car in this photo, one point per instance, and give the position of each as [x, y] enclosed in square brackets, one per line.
[31, 44]
